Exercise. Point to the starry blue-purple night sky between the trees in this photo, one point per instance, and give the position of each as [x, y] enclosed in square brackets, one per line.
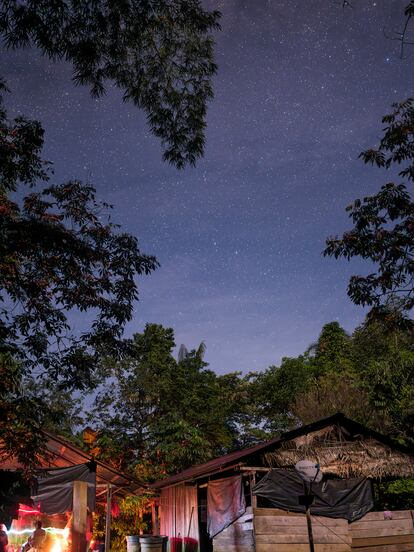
[300, 91]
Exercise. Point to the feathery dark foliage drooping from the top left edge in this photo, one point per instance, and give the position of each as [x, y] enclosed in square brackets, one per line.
[158, 53]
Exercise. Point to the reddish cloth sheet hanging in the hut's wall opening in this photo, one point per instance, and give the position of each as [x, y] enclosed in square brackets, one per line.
[225, 503]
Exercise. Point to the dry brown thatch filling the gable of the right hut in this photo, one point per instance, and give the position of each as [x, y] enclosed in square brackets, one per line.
[344, 454]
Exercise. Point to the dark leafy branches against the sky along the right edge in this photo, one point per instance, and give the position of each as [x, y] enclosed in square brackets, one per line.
[383, 231]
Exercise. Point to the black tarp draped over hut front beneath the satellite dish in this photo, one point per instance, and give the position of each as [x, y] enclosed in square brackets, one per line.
[337, 498]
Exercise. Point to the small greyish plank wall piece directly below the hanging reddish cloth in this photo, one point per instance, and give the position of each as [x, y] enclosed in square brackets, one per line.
[238, 537]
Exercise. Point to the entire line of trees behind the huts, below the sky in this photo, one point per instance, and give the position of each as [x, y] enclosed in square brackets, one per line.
[156, 415]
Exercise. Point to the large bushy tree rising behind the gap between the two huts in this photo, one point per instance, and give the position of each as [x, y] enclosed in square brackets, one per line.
[159, 415]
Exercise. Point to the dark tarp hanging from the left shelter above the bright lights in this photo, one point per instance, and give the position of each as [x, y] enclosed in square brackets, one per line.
[54, 492]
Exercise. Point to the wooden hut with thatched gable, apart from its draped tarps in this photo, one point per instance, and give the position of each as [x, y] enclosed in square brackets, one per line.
[342, 447]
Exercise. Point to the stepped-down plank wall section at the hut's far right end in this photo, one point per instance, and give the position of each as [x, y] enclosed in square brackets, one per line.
[373, 533]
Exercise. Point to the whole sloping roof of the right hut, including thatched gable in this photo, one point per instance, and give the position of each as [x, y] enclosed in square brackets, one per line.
[341, 446]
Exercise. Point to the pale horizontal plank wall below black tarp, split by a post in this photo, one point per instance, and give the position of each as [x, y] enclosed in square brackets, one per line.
[279, 531]
